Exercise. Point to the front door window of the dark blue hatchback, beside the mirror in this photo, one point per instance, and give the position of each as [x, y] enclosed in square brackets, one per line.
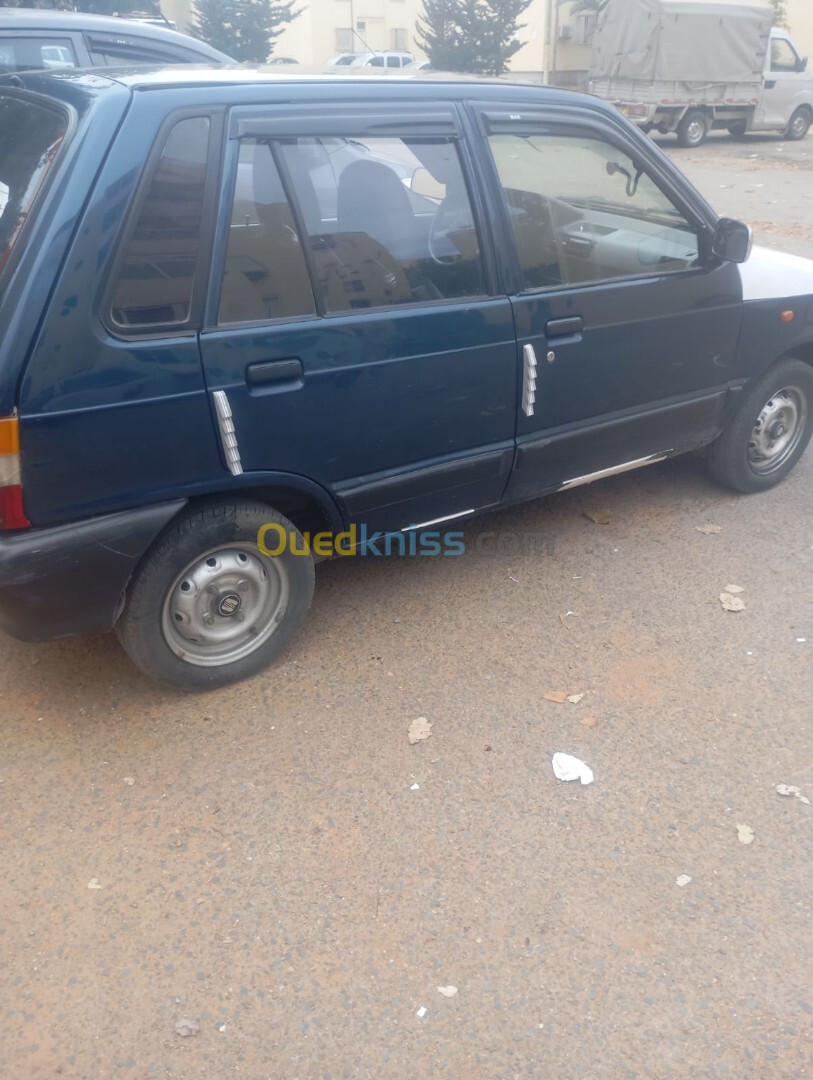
[582, 211]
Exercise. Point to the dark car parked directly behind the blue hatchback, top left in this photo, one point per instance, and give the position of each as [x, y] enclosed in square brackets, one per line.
[32, 39]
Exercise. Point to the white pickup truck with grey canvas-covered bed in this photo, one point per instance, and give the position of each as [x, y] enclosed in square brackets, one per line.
[689, 66]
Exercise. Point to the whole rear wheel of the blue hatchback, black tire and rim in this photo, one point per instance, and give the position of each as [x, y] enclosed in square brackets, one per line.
[206, 591]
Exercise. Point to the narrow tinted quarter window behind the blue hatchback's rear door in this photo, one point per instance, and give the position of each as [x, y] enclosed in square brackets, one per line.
[157, 274]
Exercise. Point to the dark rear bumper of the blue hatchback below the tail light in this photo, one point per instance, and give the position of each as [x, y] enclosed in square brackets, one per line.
[71, 579]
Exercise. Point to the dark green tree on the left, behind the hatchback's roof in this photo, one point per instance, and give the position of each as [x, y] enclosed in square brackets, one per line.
[245, 30]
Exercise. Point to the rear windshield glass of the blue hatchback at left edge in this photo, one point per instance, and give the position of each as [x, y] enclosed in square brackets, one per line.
[31, 137]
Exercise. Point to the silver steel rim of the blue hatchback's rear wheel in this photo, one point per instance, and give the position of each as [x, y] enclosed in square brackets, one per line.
[225, 605]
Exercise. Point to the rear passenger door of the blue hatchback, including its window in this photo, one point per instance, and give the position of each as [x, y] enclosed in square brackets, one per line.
[355, 328]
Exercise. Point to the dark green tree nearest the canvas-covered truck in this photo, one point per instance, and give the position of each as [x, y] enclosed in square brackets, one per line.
[478, 36]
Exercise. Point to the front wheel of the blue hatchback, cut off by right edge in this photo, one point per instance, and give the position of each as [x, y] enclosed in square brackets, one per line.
[738, 458]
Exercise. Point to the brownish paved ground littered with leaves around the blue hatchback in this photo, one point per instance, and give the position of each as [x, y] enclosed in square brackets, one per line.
[277, 862]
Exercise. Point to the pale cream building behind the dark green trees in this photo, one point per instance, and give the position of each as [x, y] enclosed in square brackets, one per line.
[554, 39]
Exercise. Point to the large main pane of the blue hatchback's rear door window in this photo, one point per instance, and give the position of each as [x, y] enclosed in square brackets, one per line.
[388, 220]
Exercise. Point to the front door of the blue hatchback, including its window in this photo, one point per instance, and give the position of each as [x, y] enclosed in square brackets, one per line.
[627, 327]
